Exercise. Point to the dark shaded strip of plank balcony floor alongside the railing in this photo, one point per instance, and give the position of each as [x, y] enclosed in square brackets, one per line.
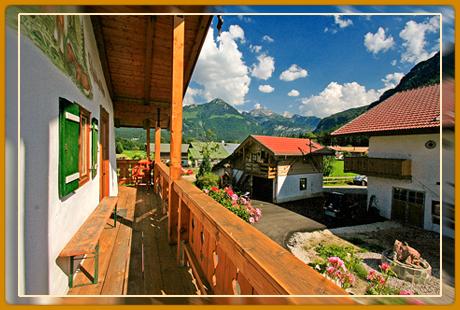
[153, 269]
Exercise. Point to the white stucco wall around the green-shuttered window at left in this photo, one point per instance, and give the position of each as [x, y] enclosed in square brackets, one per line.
[49, 222]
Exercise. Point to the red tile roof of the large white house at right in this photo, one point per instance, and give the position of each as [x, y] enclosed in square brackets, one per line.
[408, 110]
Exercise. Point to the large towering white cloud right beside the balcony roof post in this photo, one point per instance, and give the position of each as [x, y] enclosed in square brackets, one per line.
[221, 70]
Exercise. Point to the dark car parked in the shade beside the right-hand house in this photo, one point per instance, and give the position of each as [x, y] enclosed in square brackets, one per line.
[338, 206]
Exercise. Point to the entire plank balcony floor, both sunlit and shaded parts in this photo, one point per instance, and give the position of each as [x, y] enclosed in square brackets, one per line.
[139, 241]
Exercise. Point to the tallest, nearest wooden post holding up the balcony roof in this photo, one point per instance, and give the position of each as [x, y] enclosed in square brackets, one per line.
[177, 68]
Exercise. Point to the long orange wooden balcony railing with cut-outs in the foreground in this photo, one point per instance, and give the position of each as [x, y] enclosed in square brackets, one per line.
[229, 256]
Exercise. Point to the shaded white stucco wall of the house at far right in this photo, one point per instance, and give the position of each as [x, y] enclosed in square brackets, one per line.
[425, 171]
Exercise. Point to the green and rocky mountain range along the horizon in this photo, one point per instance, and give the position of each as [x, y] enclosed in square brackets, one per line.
[218, 120]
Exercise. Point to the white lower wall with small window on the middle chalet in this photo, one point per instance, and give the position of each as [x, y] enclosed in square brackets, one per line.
[287, 188]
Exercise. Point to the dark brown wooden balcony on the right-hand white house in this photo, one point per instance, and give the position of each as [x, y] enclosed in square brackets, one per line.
[381, 167]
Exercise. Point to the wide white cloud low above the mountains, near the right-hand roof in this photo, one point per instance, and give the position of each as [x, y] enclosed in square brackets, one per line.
[336, 98]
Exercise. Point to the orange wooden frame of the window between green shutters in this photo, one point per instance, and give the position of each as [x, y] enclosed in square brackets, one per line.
[86, 131]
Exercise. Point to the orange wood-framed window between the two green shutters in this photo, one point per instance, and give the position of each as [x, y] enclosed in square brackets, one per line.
[84, 146]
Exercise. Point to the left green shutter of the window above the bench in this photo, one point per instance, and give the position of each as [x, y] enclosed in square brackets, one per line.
[69, 134]
